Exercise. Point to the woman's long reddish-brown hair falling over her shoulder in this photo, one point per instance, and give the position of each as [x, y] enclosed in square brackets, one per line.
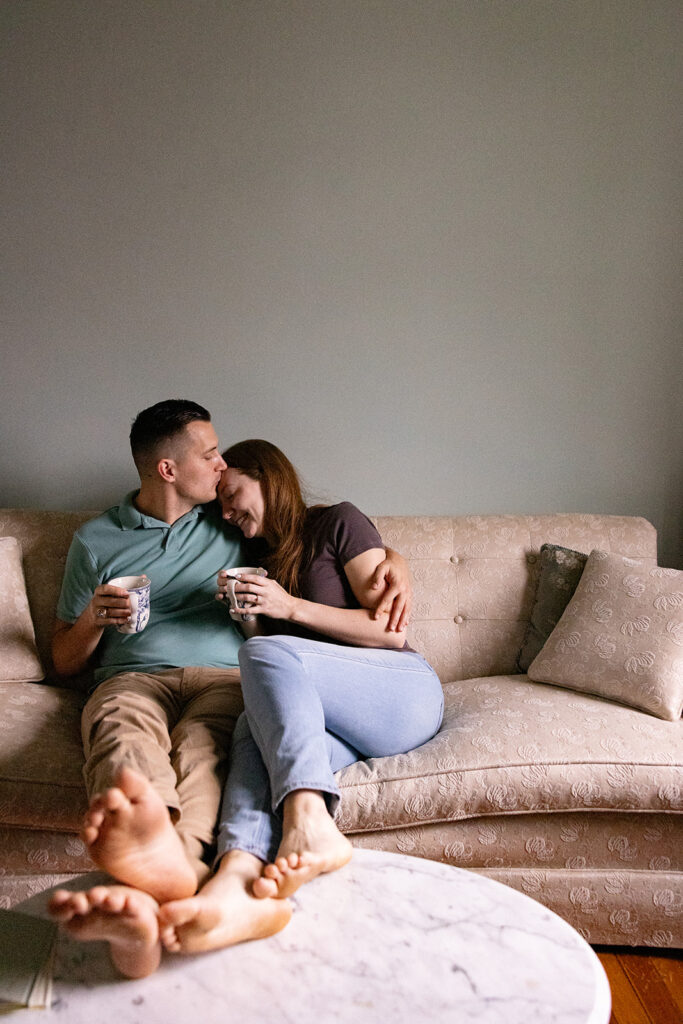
[285, 509]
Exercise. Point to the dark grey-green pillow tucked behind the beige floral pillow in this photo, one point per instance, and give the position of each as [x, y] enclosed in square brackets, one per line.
[561, 573]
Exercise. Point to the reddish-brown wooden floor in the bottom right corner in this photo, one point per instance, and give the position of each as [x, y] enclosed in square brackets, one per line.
[647, 986]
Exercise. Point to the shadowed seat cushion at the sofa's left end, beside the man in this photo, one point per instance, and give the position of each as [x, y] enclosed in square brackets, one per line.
[41, 784]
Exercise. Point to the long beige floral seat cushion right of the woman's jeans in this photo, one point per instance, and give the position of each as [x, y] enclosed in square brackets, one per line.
[511, 747]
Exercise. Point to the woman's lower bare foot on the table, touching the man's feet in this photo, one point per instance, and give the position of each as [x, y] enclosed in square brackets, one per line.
[225, 912]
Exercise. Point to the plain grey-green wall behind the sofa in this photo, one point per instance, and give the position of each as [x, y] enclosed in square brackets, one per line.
[431, 248]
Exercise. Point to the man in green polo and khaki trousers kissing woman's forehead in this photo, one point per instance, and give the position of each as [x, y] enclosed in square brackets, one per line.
[157, 728]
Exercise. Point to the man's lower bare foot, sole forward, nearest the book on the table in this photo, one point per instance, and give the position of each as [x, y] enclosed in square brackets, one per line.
[124, 918]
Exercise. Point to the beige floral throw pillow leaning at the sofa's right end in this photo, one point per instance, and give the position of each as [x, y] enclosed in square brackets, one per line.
[621, 636]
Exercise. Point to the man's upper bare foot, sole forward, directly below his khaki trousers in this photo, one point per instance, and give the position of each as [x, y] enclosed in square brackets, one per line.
[130, 834]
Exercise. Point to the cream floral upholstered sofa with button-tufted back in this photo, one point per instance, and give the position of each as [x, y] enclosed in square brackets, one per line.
[571, 797]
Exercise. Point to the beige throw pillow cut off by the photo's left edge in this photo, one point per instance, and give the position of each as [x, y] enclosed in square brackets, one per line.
[19, 658]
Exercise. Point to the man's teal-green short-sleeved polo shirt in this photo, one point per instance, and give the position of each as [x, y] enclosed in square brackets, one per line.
[188, 627]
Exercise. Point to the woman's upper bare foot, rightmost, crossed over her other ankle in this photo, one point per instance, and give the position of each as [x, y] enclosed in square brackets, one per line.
[312, 845]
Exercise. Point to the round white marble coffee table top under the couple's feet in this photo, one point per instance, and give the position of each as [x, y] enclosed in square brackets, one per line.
[389, 938]
